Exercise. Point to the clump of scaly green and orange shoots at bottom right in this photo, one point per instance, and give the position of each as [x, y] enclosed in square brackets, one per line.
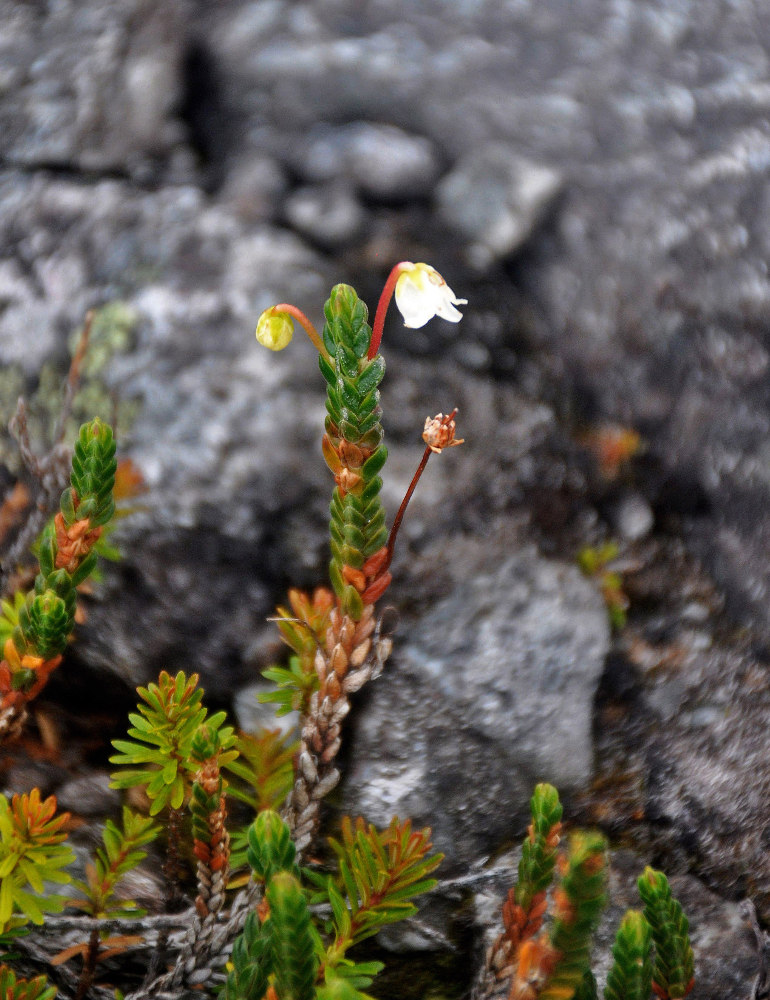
[554, 963]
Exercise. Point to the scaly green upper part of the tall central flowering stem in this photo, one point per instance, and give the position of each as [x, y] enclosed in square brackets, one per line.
[352, 447]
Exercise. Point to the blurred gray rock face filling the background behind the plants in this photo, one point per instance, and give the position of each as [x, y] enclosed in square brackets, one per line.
[594, 177]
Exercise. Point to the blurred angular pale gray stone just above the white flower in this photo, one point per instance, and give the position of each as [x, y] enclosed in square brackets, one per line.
[494, 198]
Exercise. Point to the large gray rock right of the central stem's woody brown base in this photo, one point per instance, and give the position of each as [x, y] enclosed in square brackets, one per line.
[492, 692]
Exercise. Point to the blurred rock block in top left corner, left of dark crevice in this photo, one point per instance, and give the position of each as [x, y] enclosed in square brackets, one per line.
[91, 86]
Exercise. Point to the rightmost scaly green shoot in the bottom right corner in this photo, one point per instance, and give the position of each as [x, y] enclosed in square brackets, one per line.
[674, 961]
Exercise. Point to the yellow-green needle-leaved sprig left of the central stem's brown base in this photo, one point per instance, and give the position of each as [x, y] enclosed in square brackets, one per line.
[164, 730]
